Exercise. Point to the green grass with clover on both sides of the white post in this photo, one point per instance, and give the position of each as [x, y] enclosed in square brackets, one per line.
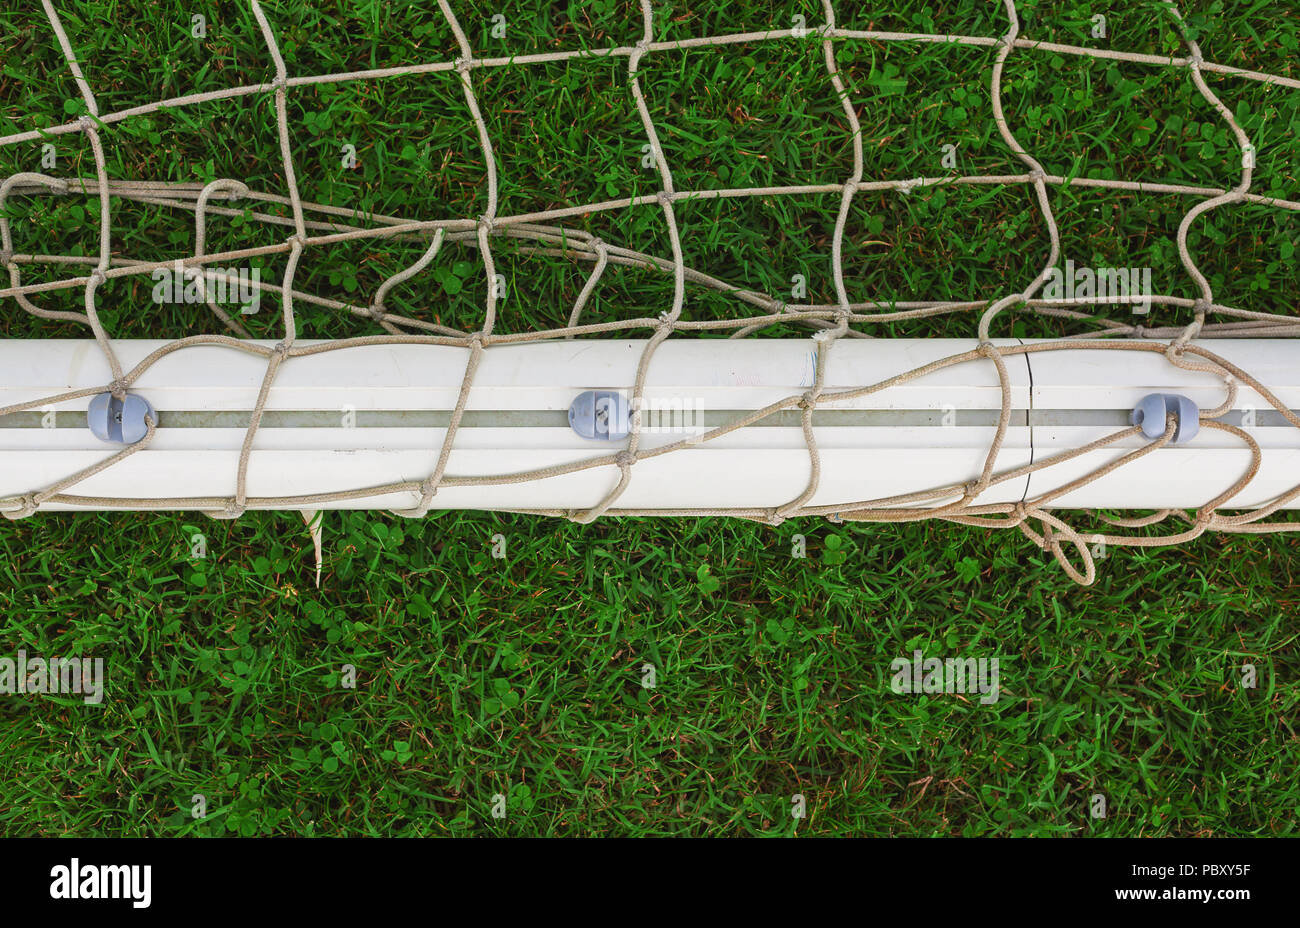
[523, 677]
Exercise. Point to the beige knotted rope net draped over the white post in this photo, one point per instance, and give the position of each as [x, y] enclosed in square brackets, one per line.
[315, 227]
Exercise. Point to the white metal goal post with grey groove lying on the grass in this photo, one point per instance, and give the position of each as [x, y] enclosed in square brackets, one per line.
[376, 415]
